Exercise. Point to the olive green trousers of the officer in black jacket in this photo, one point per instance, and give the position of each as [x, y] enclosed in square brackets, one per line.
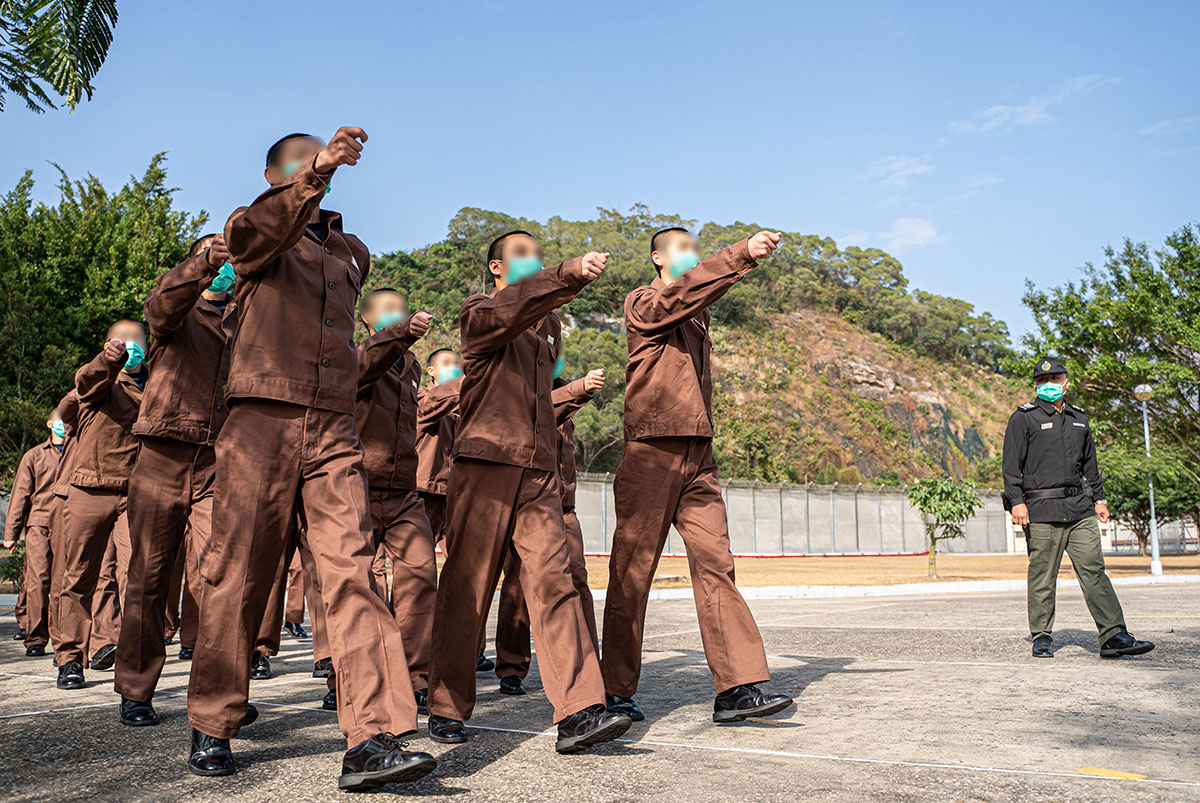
[1046, 543]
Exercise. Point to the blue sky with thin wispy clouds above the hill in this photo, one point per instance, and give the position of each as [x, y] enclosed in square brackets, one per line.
[981, 146]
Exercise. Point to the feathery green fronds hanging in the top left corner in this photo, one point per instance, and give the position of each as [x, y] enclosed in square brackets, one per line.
[53, 45]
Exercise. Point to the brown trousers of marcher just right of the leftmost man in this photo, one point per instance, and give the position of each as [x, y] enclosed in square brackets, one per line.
[95, 550]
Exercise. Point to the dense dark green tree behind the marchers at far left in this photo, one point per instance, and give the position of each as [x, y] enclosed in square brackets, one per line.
[67, 273]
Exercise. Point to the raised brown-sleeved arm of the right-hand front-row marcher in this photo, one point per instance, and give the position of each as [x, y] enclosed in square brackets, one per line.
[651, 311]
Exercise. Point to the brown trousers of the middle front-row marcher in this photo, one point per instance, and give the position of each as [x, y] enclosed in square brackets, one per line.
[494, 508]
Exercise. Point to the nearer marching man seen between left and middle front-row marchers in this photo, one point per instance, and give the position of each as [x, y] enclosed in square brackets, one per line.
[386, 412]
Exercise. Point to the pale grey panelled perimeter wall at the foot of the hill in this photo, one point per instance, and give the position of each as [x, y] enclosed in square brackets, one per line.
[781, 519]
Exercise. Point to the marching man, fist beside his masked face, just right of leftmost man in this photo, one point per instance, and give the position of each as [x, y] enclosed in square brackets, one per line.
[110, 391]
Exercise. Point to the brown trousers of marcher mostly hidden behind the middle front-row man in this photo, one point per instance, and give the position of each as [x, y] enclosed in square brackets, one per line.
[513, 652]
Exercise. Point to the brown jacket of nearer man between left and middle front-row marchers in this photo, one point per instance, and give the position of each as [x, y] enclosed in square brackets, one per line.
[386, 409]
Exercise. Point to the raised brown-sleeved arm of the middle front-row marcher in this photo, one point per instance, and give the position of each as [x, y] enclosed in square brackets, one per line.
[489, 323]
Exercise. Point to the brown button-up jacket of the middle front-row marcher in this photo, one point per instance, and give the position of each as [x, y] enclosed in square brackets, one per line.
[508, 353]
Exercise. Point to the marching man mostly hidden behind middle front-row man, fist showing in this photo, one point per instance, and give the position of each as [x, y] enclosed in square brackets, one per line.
[513, 652]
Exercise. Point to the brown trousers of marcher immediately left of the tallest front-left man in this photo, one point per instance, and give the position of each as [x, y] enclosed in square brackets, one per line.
[171, 495]
